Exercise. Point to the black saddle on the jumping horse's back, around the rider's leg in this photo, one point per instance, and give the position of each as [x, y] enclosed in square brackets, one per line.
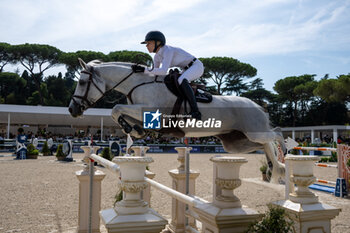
[202, 96]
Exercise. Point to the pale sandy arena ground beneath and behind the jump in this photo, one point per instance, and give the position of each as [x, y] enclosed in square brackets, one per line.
[42, 195]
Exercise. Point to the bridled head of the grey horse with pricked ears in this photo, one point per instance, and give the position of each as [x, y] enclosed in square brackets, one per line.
[89, 90]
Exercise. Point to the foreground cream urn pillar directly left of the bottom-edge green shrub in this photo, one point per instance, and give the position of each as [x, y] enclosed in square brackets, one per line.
[226, 214]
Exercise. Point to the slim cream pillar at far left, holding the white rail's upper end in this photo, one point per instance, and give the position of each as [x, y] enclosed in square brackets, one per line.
[84, 187]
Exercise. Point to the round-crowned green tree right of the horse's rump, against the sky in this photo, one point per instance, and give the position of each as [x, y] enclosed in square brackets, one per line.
[296, 91]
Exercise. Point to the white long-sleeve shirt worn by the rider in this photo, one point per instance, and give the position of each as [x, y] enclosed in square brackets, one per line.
[167, 57]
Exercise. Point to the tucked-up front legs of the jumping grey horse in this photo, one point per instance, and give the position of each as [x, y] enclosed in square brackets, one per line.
[129, 117]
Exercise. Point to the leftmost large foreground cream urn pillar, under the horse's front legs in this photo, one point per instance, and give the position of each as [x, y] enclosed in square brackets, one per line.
[132, 214]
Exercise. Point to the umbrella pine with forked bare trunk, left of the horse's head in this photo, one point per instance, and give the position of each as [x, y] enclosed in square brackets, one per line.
[36, 59]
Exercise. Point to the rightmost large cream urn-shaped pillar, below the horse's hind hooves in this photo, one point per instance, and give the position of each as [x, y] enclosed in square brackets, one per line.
[303, 207]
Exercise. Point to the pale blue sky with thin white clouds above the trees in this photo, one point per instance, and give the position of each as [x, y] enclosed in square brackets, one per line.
[280, 38]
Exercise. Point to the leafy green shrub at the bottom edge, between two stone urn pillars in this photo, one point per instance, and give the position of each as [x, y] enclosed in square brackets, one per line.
[274, 221]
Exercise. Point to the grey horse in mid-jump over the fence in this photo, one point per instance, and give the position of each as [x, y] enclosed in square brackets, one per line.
[244, 126]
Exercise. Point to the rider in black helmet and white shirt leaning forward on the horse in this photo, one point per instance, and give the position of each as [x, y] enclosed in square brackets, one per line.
[166, 57]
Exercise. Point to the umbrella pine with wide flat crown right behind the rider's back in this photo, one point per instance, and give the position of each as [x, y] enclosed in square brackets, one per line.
[227, 73]
